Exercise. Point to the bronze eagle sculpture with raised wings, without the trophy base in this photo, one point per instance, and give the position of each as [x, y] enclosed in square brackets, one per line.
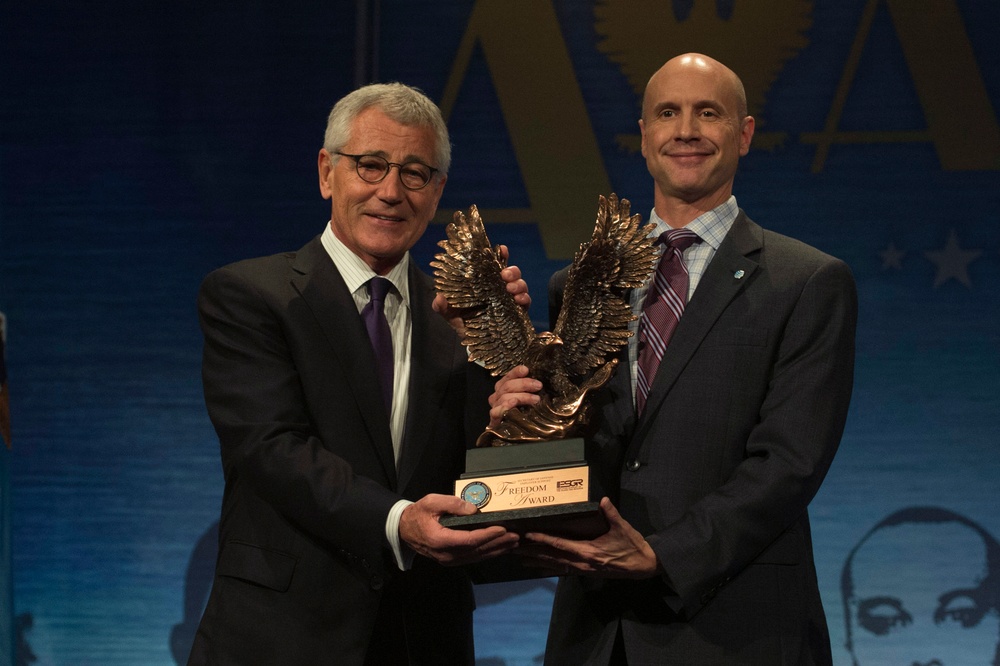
[592, 325]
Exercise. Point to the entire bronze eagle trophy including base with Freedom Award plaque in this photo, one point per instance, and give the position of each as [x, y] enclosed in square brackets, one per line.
[529, 472]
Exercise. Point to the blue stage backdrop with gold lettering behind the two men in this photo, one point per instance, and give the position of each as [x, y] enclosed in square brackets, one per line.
[145, 143]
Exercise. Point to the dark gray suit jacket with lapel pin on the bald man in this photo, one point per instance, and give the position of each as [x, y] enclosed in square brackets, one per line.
[743, 419]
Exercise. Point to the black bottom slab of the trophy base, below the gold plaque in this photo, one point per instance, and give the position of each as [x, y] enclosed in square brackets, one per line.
[579, 520]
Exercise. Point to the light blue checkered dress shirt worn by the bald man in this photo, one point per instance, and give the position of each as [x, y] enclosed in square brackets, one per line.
[711, 227]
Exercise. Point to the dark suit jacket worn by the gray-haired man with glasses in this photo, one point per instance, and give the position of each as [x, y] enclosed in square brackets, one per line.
[304, 569]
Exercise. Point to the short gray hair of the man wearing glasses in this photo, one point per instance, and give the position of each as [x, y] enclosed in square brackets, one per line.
[402, 103]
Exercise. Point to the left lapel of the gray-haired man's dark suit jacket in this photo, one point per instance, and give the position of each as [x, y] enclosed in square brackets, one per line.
[325, 293]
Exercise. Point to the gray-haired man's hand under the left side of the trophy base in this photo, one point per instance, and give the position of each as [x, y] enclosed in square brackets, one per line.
[420, 529]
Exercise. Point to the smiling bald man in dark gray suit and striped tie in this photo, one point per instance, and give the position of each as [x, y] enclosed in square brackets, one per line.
[709, 557]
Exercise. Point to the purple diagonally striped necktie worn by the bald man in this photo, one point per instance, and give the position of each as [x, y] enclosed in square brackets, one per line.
[663, 308]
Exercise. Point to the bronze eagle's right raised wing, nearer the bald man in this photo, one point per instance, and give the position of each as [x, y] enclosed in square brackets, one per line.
[593, 321]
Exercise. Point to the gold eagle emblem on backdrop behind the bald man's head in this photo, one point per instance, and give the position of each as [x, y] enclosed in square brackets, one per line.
[755, 38]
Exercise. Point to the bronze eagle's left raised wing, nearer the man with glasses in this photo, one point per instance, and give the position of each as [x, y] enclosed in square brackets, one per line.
[498, 330]
